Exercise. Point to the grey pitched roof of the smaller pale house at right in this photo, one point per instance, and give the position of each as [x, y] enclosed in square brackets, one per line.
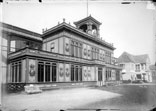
[126, 57]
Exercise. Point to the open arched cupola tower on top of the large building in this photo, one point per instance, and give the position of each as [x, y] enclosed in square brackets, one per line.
[89, 25]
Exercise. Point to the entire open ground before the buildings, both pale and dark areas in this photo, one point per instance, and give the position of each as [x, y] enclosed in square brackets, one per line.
[122, 97]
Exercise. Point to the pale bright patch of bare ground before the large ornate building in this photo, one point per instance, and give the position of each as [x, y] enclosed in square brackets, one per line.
[55, 100]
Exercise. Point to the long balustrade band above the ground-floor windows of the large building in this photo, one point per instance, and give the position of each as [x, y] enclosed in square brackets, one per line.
[36, 52]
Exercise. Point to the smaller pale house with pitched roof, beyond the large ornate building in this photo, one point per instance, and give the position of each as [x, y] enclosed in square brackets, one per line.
[135, 67]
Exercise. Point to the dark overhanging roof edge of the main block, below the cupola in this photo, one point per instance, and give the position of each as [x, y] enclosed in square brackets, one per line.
[66, 26]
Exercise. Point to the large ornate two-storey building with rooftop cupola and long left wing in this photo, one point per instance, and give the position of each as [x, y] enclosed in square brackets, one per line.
[62, 55]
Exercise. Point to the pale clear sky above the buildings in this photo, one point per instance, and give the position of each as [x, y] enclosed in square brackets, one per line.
[130, 27]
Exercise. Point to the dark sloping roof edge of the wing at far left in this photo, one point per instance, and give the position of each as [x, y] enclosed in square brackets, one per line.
[20, 31]
